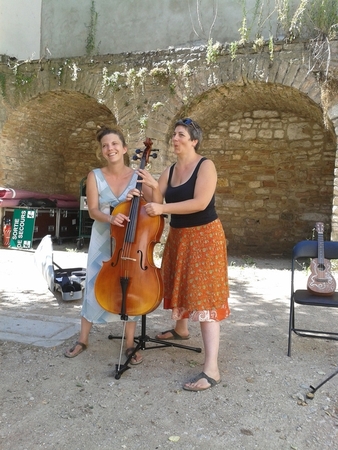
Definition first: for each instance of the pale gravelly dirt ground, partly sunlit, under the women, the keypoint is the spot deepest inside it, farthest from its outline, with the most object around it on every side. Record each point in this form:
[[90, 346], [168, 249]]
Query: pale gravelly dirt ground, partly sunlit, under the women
[[51, 402]]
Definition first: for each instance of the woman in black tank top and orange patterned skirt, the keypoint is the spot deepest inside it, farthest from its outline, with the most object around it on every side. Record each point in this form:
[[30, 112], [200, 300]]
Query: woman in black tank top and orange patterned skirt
[[194, 262]]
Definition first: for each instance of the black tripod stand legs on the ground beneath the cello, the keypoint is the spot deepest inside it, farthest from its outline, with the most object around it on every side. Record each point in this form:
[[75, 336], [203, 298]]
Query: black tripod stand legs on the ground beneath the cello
[[141, 345]]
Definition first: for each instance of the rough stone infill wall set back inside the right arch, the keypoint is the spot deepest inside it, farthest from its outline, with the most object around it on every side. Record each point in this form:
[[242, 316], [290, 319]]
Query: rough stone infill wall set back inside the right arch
[[275, 178]]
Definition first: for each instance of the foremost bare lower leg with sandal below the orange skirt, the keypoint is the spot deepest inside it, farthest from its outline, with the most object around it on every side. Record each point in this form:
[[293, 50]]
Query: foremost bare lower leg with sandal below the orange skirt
[[210, 334]]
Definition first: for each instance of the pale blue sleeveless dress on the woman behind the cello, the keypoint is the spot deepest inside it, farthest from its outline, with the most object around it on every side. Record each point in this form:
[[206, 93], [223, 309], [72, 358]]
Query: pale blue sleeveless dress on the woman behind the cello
[[100, 250]]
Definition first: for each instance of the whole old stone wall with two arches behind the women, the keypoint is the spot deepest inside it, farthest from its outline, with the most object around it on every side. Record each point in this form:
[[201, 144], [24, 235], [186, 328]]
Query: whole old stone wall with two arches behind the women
[[263, 124]]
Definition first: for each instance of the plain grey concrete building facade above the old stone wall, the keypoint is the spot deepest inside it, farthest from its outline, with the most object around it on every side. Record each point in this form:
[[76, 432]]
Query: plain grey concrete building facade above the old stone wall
[[69, 28]]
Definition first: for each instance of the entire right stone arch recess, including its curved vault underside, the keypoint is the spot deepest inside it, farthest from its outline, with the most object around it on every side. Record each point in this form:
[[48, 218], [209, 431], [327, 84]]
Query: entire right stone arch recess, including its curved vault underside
[[275, 160]]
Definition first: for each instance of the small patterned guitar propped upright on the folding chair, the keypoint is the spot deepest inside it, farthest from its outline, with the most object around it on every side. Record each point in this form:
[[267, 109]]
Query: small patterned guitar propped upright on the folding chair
[[321, 282]]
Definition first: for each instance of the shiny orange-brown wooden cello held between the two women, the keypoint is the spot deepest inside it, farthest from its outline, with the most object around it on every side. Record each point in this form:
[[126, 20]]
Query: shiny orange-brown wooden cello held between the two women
[[130, 283]]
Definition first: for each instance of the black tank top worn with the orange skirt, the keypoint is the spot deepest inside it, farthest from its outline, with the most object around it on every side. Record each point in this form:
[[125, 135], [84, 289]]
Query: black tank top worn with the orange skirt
[[186, 192]]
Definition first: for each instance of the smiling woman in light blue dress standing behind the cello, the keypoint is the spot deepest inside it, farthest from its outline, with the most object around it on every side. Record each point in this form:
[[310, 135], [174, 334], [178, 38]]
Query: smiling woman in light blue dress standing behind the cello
[[105, 188]]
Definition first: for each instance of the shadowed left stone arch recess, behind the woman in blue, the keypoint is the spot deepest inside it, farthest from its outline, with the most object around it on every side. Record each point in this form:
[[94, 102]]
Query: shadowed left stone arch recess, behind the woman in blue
[[48, 143]]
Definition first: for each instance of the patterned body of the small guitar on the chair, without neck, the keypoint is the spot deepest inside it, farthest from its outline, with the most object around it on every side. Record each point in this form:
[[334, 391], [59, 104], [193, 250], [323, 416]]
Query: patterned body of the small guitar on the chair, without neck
[[321, 281]]
